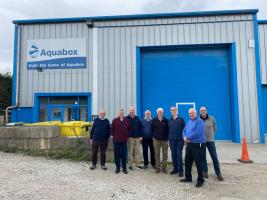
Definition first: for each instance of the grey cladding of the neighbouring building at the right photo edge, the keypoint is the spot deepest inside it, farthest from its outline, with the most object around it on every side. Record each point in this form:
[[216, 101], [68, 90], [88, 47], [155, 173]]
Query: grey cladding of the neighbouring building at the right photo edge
[[263, 51]]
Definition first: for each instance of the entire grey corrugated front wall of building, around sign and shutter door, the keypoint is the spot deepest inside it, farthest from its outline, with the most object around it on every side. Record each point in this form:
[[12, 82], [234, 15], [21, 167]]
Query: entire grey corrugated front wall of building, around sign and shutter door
[[116, 53]]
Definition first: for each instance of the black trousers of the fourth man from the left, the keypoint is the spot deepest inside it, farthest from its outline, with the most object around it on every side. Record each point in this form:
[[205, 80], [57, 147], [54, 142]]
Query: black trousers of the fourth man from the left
[[148, 143]]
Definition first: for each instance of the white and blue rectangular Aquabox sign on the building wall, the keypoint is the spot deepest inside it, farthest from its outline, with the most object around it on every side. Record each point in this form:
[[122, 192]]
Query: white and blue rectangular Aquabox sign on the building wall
[[56, 53]]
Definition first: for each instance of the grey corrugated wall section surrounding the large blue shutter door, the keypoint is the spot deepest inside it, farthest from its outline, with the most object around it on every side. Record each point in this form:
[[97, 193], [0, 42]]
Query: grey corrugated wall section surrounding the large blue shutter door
[[117, 41]]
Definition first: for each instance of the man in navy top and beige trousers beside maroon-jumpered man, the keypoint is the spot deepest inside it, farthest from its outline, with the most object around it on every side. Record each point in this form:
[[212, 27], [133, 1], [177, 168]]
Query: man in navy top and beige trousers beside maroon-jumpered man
[[135, 139]]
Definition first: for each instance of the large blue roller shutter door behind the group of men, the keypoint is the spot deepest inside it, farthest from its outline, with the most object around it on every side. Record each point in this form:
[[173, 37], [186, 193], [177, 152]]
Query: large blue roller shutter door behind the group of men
[[199, 75]]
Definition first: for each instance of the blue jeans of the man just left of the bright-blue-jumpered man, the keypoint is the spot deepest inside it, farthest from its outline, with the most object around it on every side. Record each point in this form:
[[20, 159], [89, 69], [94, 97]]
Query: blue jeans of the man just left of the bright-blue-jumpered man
[[176, 147]]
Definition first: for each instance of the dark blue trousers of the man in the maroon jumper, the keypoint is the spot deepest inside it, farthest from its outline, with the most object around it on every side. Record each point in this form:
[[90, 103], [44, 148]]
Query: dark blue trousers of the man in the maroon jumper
[[120, 154]]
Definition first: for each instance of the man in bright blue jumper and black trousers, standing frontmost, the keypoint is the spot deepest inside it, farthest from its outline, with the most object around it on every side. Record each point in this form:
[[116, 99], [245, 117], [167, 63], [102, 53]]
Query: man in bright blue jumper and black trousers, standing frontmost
[[194, 137]]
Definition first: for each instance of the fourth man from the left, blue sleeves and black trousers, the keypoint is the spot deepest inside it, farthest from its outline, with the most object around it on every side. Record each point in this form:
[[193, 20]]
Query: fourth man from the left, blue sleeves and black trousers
[[147, 141]]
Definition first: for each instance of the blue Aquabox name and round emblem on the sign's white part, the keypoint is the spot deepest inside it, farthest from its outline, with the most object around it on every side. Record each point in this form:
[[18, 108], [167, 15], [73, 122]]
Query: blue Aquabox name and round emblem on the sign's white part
[[35, 52]]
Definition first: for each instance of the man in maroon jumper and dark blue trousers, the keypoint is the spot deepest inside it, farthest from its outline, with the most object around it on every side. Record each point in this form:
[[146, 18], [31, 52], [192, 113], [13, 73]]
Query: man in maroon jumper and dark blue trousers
[[120, 130]]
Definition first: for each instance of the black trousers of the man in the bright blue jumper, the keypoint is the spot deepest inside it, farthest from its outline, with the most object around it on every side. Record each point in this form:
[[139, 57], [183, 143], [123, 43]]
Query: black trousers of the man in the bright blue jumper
[[194, 152]]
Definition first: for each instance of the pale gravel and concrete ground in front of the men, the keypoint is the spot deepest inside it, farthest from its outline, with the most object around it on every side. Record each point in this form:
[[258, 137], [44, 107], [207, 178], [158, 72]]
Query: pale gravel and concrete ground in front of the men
[[24, 177]]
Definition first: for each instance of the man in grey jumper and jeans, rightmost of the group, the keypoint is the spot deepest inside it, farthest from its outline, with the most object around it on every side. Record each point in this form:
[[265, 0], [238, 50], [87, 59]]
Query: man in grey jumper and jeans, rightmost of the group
[[210, 129]]
